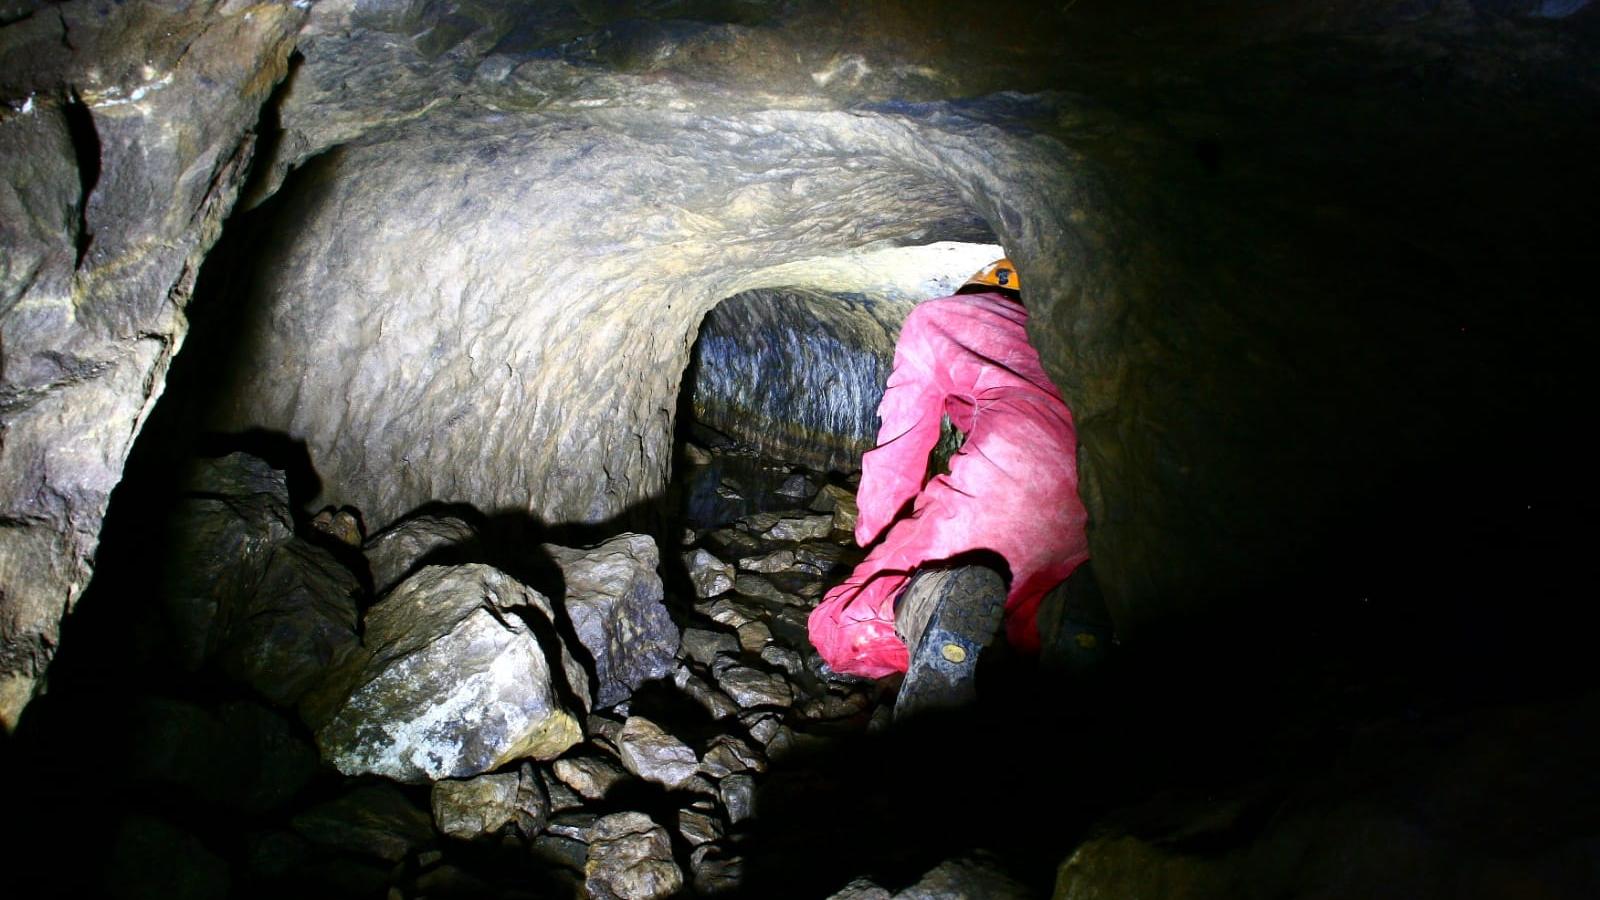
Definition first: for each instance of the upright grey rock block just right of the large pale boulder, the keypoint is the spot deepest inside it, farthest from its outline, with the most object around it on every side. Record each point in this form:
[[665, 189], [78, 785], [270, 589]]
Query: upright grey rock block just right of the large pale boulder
[[614, 601]]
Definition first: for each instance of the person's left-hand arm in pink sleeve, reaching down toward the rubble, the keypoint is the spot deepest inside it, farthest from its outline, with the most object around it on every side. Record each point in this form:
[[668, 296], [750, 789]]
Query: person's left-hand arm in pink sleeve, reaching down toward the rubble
[[911, 411]]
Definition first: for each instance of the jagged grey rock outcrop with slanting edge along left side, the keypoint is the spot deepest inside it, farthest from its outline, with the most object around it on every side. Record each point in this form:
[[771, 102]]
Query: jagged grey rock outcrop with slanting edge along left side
[[127, 132]]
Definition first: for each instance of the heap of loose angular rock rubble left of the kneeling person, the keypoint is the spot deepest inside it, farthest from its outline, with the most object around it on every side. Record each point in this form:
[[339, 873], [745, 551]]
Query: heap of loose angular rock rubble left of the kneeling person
[[606, 741]]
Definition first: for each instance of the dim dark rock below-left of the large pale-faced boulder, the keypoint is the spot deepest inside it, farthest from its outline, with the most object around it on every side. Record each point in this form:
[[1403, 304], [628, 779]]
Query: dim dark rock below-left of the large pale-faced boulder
[[374, 821]]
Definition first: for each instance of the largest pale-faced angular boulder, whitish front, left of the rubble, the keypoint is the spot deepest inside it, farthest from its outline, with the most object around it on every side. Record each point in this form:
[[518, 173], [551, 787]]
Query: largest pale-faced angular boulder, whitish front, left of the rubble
[[454, 681]]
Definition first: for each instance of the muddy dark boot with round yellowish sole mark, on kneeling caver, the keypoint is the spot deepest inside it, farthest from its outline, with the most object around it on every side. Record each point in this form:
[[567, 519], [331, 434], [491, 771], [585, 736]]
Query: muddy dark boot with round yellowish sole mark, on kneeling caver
[[946, 619]]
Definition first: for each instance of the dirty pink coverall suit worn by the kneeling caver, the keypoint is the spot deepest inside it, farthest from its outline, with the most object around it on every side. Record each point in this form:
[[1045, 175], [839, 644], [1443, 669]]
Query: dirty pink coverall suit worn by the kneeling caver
[[1014, 486]]
